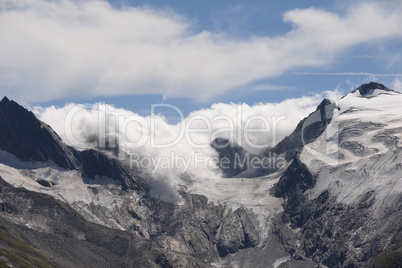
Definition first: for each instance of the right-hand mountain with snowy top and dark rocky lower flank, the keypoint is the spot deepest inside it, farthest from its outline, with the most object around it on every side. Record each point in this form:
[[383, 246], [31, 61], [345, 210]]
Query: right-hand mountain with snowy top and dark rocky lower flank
[[343, 191]]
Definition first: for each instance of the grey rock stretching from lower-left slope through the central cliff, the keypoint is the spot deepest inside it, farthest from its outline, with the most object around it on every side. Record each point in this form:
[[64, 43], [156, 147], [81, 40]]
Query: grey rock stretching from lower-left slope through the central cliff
[[190, 235]]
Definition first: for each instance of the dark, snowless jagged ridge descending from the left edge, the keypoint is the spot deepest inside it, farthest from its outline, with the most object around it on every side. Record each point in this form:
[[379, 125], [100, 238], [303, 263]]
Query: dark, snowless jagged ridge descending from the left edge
[[30, 140]]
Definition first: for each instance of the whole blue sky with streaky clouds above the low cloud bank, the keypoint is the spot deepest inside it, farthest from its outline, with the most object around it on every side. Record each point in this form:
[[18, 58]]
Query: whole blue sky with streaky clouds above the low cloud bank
[[194, 53]]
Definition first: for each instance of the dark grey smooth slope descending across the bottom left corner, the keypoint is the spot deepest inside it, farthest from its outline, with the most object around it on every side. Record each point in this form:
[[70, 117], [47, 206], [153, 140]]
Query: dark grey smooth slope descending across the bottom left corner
[[62, 237]]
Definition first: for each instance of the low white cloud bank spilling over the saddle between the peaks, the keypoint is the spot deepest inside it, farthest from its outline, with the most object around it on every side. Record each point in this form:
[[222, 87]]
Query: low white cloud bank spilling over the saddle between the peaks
[[179, 154]]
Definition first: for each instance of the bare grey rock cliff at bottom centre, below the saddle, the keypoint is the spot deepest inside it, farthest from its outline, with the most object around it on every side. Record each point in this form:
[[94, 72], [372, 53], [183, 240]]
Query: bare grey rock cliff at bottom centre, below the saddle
[[197, 227]]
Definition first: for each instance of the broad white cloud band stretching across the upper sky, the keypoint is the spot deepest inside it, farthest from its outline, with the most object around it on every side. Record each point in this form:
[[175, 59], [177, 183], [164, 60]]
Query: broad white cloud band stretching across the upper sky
[[56, 49]]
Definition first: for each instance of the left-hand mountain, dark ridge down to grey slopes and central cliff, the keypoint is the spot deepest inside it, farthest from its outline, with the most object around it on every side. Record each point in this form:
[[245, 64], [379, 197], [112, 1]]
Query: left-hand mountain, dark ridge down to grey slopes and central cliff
[[66, 204]]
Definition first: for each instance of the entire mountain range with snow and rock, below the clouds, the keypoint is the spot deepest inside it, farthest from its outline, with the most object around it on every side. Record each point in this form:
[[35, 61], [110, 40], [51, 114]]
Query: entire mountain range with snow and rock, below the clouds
[[335, 202]]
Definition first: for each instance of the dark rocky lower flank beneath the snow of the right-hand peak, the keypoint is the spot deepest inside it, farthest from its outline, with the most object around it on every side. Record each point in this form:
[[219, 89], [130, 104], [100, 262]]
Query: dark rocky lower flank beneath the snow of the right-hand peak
[[336, 234]]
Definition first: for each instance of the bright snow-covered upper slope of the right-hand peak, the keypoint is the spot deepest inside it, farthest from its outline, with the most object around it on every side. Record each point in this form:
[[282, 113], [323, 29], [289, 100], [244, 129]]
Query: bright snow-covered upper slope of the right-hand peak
[[360, 150]]
